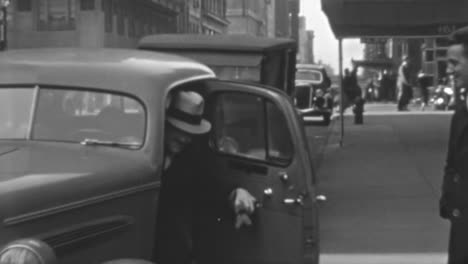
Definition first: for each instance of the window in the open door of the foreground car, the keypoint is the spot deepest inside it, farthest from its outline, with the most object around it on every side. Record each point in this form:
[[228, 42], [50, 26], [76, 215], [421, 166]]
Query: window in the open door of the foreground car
[[250, 126]]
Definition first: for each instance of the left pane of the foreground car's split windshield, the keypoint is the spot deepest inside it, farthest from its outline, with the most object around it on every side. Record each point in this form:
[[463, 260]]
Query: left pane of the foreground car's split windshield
[[15, 112]]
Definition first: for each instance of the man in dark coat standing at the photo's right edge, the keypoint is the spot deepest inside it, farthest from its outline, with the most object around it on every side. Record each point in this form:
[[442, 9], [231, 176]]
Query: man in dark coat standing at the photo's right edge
[[454, 199]]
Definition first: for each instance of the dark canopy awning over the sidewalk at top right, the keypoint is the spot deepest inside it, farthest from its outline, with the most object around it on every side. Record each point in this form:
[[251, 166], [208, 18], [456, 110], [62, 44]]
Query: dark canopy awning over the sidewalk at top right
[[393, 18]]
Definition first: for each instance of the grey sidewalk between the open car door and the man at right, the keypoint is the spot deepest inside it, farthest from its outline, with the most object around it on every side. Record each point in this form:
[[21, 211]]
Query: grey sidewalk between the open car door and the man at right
[[382, 187]]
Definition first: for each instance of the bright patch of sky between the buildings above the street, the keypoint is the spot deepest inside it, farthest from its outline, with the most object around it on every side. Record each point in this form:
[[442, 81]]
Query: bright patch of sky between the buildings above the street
[[325, 43]]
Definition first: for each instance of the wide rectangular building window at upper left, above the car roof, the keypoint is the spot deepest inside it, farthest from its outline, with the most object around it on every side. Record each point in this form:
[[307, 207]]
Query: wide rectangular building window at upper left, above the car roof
[[56, 15]]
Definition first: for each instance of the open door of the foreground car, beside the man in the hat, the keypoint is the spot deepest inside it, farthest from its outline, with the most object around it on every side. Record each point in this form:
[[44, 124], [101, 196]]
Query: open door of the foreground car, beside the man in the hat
[[276, 234]]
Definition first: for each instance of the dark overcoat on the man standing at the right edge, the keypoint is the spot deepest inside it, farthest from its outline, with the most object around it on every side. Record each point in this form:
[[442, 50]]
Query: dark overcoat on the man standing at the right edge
[[454, 199]]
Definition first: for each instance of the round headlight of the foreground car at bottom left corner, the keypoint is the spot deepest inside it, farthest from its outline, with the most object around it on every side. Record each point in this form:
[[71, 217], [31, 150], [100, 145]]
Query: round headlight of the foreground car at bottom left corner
[[27, 251]]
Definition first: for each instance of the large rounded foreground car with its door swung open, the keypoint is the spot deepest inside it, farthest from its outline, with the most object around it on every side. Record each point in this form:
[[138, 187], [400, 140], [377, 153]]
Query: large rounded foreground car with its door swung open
[[81, 158]]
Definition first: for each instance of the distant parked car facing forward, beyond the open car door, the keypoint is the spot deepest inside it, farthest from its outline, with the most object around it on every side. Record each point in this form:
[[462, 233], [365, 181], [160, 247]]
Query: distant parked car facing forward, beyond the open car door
[[312, 95]]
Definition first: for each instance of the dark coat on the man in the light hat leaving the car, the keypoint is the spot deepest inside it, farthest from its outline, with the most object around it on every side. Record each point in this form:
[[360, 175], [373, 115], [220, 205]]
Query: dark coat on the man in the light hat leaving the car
[[188, 191]]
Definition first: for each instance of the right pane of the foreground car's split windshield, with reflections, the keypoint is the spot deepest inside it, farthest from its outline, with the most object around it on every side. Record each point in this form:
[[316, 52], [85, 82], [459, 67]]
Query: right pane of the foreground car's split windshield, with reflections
[[76, 115]]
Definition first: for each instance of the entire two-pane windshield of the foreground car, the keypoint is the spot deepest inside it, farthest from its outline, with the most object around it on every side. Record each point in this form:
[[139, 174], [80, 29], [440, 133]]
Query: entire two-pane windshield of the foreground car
[[71, 116]]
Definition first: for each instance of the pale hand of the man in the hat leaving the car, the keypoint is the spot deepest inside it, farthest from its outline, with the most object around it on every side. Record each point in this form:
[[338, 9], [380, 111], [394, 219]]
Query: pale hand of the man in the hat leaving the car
[[244, 205]]
